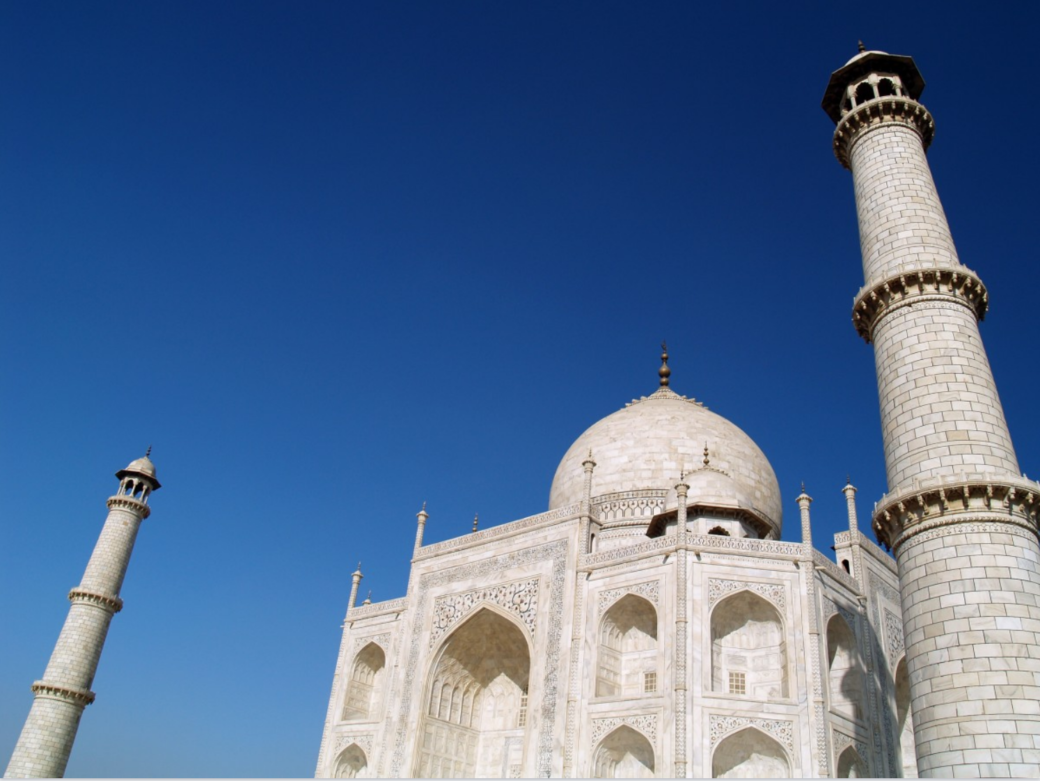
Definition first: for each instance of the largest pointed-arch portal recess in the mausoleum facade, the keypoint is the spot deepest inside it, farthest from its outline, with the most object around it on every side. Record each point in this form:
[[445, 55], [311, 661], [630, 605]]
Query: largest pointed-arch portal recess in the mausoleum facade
[[476, 719]]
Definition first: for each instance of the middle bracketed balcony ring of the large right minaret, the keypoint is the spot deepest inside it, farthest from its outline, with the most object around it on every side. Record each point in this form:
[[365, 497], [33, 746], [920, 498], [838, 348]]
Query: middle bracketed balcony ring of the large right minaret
[[911, 288]]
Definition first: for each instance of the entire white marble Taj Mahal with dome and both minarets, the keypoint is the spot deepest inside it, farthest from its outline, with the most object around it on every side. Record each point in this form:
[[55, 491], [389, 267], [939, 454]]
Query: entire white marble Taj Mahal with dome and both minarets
[[652, 622]]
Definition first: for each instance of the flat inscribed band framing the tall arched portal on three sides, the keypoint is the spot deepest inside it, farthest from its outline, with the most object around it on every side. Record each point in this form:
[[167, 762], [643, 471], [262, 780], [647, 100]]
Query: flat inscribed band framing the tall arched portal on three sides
[[555, 553]]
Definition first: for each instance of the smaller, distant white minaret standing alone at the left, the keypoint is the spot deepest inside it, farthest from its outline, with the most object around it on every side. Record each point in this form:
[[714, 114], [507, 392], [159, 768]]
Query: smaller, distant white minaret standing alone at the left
[[46, 741]]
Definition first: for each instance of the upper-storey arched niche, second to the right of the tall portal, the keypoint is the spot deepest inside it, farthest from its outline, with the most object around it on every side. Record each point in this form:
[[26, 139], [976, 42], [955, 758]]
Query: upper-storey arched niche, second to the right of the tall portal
[[749, 654]]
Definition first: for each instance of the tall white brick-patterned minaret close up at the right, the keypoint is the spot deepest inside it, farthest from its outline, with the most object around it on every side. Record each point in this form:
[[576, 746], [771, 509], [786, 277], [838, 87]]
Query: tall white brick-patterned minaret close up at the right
[[958, 515]]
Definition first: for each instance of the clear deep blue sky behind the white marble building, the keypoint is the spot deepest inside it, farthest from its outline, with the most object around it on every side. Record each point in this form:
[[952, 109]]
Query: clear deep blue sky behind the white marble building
[[333, 261]]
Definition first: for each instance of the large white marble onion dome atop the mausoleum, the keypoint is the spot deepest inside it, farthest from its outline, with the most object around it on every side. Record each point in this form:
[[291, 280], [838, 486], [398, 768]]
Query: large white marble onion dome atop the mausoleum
[[647, 444]]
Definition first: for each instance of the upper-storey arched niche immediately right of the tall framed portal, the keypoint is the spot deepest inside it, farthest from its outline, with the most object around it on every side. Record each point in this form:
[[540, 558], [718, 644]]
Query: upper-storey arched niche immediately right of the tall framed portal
[[628, 661]]
